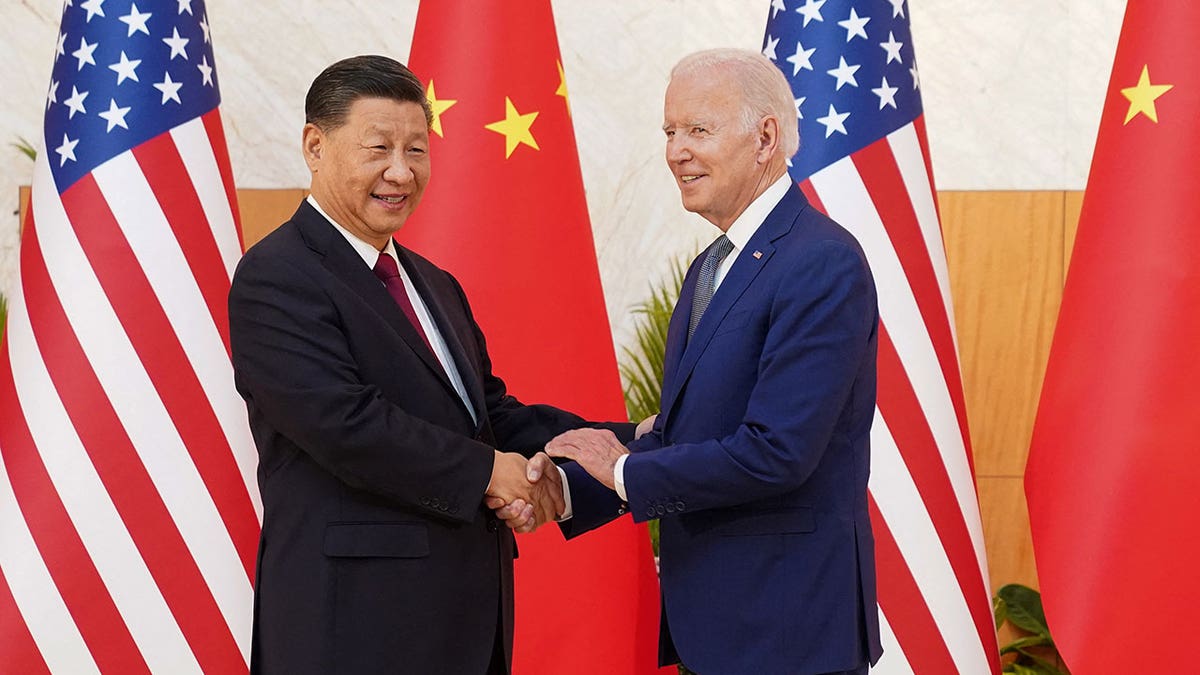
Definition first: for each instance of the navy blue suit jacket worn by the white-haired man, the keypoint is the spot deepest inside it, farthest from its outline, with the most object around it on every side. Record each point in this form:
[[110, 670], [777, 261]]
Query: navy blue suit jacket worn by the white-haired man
[[759, 462]]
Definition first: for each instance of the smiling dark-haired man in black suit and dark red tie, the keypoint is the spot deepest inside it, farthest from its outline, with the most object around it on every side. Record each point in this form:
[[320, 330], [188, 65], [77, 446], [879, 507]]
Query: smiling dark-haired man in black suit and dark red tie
[[377, 417]]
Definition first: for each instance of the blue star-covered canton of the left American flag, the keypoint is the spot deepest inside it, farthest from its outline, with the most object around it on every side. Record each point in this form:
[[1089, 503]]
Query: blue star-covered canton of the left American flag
[[124, 73]]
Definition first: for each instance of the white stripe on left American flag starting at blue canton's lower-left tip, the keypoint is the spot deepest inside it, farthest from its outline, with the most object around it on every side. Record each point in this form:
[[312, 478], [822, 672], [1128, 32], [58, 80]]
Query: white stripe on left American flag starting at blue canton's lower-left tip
[[145, 419]]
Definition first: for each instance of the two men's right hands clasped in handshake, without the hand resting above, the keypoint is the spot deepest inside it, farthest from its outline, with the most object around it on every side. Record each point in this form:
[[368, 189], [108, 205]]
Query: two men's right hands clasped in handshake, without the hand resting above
[[526, 494]]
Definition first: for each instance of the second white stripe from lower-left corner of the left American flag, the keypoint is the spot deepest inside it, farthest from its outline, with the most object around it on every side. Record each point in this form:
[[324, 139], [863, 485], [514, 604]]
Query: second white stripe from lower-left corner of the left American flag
[[93, 515]]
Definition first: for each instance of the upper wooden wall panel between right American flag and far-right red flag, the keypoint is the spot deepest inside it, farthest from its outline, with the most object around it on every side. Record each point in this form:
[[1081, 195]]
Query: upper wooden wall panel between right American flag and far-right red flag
[[1005, 256]]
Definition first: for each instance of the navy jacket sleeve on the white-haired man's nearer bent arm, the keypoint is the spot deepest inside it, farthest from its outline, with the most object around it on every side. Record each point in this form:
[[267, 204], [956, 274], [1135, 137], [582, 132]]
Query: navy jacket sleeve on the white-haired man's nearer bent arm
[[824, 319]]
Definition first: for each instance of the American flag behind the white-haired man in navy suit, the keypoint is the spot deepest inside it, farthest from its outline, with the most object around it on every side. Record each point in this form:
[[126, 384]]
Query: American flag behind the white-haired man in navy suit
[[865, 162]]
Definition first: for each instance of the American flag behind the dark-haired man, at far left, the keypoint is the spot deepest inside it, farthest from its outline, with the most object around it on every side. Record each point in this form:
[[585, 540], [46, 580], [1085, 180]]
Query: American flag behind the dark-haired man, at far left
[[129, 511]]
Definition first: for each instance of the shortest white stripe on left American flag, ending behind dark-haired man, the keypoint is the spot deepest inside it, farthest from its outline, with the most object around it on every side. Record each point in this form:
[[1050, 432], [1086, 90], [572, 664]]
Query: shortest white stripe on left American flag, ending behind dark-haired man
[[193, 141]]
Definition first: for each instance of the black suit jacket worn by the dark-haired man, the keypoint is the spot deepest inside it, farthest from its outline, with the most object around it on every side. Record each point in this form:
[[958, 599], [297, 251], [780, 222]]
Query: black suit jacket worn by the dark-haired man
[[377, 554]]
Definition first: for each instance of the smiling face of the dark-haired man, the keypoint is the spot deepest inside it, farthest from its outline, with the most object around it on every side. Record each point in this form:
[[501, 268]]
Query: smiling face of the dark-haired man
[[369, 175]]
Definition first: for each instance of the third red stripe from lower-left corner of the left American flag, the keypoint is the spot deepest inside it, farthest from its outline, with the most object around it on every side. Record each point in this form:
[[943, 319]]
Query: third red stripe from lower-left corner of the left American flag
[[119, 468]]
